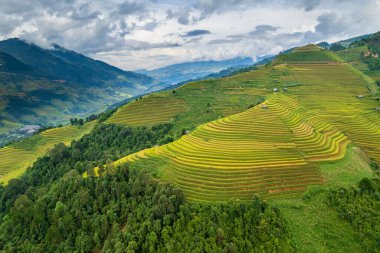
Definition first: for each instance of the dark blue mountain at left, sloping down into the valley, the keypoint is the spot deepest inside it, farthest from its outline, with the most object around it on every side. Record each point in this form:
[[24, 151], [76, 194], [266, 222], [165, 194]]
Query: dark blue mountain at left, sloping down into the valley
[[40, 86]]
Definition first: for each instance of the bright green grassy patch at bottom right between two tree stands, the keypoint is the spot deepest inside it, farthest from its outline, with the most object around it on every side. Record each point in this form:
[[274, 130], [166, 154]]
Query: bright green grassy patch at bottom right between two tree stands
[[315, 227]]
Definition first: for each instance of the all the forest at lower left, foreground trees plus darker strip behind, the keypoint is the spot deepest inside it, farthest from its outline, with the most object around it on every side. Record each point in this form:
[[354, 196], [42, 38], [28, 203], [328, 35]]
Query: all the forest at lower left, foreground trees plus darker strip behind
[[52, 208]]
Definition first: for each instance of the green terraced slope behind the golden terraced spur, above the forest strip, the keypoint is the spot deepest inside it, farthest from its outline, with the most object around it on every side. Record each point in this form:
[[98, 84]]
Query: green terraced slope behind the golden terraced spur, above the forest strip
[[197, 103]]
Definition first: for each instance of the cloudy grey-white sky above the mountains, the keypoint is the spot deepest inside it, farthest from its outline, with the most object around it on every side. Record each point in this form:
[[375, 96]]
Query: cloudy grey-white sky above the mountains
[[136, 34]]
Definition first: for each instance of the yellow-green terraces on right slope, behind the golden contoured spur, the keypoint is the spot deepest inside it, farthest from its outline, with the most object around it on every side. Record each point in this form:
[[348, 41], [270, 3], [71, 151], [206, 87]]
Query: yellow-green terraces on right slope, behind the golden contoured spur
[[331, 91]]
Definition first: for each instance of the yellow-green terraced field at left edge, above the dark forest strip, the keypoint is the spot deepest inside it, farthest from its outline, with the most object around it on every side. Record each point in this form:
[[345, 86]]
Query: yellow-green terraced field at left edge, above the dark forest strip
[[15, 159]]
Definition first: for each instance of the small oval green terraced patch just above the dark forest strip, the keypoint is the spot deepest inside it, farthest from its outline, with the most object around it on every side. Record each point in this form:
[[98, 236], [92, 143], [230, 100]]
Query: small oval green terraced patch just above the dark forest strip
[[148, 111]]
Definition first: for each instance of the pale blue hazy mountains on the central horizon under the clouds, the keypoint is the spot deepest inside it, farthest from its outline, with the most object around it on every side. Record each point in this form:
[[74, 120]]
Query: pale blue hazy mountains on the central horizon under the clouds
[[178, 73]]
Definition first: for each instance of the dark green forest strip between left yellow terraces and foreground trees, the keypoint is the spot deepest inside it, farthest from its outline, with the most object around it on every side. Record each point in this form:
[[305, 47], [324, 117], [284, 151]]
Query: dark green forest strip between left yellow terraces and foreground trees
[[106, 143]]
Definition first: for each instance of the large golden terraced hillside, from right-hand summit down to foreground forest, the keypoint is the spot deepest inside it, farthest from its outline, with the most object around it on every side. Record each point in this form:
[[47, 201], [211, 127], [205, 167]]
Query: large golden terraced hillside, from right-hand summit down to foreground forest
[[275, 151]]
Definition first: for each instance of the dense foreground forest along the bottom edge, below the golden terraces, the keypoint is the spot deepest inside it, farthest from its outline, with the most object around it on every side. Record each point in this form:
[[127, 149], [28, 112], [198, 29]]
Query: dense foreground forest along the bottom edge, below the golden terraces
[[128, 211]]
